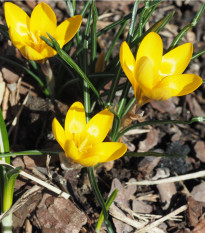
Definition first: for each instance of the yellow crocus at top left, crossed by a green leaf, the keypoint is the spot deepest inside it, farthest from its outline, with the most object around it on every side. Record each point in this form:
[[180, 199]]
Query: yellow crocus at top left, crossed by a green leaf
[[25, 31]]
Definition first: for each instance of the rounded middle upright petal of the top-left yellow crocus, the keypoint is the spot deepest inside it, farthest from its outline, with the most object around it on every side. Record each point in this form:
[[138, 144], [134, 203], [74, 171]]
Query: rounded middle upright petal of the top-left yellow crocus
[[43, 20]]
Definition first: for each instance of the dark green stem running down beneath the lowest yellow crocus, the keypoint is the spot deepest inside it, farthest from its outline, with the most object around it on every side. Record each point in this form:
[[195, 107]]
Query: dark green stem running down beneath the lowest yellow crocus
[[100, 200]]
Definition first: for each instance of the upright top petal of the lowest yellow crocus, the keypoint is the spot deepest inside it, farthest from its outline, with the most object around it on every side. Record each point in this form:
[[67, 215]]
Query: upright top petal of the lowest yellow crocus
[[75, 121]]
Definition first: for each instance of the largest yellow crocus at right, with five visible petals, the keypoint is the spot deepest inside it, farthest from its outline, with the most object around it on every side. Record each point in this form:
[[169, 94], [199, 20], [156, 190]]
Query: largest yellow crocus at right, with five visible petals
[[157, 77]]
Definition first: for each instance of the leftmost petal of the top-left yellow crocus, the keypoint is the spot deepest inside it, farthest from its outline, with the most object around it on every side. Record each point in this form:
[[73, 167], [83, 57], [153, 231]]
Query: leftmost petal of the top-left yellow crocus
[[18, 20]]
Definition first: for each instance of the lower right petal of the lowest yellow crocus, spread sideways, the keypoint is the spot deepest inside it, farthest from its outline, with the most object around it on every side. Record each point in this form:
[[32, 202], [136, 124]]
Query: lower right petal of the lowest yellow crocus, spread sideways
[[106, 151]]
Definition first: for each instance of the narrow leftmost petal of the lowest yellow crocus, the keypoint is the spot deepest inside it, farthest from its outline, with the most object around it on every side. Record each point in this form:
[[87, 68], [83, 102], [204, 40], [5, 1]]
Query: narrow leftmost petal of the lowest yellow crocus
[[58, 132]]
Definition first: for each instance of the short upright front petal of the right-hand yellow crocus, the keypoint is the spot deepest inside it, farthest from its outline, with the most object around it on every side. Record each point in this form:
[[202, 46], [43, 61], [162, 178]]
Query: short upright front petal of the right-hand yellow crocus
[[144, 73]]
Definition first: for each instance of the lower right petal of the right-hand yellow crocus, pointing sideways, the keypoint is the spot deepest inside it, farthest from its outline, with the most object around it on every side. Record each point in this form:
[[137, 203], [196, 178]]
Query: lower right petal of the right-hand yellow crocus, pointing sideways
[[176, 85]]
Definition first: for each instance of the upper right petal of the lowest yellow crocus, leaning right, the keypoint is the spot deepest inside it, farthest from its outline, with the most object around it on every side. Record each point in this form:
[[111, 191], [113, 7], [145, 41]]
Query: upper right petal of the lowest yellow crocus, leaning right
[[97, 129]]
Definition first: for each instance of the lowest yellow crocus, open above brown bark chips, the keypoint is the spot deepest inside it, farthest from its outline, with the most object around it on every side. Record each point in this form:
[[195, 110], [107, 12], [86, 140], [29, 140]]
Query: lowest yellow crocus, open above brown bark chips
[[83, 143]]
